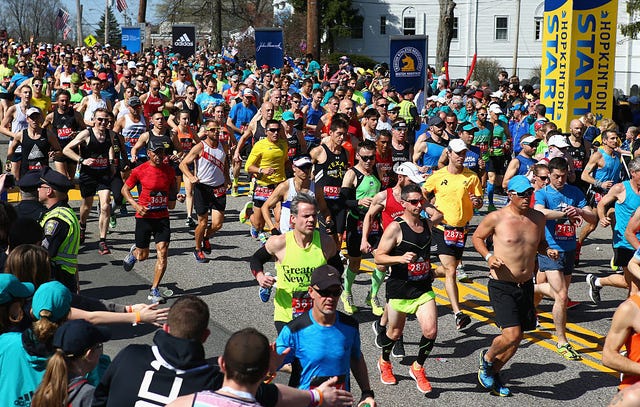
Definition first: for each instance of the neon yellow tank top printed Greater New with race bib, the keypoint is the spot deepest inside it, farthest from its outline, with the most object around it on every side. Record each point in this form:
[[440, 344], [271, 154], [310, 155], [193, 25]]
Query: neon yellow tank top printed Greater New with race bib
[[294, 276]]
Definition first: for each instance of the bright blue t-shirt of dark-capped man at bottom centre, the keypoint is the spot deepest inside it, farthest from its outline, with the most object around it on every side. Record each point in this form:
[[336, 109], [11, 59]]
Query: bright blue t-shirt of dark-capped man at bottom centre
[[323, 351]]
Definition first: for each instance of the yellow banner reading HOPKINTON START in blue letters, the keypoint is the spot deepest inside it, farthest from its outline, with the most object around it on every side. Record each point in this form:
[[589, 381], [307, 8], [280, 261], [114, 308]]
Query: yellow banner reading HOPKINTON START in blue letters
[[578, 59]]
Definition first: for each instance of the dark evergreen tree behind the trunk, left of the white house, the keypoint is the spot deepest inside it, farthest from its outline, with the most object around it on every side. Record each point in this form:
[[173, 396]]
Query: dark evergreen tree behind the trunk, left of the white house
[[337, 19]]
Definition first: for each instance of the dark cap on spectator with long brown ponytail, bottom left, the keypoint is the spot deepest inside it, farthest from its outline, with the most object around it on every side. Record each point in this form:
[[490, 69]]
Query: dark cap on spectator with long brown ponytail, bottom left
[[77, 336]]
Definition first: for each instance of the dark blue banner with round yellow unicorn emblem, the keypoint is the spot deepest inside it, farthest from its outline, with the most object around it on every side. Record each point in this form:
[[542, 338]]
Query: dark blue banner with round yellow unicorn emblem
[[408, 61]]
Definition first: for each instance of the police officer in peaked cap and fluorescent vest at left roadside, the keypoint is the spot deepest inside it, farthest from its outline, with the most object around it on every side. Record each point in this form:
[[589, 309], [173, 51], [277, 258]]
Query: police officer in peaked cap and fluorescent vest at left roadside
[[61, 228]]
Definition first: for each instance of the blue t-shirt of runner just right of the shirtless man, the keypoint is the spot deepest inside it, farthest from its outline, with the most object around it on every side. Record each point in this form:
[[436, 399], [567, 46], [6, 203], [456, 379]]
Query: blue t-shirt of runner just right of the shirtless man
[[560, 233]]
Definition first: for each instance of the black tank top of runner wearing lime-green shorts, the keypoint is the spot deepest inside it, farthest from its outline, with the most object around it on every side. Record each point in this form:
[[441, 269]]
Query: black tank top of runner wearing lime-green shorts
[[408, 281]]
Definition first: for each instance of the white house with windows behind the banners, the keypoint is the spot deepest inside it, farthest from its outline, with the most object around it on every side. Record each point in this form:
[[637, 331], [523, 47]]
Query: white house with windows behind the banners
[[492, 23]]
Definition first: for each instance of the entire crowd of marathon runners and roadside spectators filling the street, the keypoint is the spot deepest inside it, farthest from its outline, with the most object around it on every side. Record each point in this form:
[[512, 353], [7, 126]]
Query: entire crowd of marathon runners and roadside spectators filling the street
[[335, 165]]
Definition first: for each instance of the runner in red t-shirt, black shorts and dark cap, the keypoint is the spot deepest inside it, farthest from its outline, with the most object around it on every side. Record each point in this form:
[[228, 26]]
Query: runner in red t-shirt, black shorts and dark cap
[[157, 181]]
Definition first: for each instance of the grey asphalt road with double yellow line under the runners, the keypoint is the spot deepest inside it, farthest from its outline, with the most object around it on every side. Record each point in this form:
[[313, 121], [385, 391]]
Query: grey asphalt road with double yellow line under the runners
[[537, 375]]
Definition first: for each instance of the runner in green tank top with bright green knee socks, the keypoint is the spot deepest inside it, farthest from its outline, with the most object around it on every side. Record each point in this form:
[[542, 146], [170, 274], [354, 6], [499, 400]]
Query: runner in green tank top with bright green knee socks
[[360, 184]]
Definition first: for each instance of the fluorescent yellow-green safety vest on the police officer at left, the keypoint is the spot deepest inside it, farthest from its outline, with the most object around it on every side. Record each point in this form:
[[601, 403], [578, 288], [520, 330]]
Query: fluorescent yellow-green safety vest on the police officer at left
[[67, 256]]
